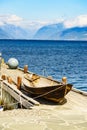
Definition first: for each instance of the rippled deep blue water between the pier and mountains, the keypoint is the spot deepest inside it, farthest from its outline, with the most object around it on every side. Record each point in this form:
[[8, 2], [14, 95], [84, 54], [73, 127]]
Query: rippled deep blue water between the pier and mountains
[[55, 58]]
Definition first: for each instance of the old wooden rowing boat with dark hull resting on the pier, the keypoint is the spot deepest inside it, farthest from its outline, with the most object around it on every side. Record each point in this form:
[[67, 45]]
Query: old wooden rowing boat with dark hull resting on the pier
[[47, 88]]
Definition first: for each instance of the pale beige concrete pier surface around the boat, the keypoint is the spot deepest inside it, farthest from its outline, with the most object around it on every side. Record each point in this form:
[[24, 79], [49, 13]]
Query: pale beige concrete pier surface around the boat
[[47, 116]]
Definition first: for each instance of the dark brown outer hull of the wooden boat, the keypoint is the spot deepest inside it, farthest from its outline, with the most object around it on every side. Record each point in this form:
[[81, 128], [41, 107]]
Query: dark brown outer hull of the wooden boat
[[53, 93]]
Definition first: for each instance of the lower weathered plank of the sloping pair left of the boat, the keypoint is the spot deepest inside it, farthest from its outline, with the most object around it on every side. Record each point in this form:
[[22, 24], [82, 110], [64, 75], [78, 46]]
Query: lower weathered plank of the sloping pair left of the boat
[[18, 97]]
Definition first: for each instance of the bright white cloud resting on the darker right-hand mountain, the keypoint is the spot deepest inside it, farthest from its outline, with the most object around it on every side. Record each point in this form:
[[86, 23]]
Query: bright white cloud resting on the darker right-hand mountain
[[78, 21]]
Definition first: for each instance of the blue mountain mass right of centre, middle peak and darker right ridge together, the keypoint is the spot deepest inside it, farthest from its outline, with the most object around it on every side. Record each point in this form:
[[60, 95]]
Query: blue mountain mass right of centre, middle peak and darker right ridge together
[[59, 32]]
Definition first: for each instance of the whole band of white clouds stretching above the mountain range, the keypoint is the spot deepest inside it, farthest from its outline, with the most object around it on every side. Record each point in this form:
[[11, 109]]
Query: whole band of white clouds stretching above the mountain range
[[34, 25]]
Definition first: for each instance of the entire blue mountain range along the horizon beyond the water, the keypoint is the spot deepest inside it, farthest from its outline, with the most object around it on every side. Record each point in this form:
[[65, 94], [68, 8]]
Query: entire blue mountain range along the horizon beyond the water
[[47, 32]]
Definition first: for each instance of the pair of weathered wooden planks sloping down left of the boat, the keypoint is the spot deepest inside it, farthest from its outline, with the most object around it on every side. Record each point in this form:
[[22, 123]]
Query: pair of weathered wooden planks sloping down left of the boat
[[18, 95]]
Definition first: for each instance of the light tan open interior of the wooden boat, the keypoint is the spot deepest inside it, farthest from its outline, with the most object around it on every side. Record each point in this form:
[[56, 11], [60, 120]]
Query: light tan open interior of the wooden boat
[[34, 80]]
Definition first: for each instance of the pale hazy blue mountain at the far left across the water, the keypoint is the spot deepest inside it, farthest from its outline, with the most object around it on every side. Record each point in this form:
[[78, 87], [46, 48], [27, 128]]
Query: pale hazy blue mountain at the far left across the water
[[9, 31]]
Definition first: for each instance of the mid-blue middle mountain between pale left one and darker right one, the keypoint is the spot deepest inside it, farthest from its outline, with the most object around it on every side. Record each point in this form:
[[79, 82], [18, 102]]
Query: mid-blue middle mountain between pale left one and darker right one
[[49, 31]]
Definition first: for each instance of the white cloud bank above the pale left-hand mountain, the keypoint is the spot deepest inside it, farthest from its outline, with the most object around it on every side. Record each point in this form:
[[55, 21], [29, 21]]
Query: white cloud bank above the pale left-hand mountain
[[18, 21]]
